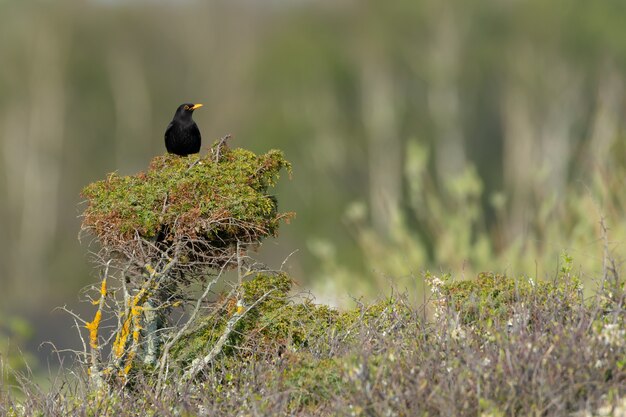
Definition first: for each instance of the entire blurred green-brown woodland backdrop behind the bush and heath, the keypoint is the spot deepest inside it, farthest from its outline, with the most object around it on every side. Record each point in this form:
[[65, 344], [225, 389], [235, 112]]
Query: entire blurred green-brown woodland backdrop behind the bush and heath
[[448, 135]]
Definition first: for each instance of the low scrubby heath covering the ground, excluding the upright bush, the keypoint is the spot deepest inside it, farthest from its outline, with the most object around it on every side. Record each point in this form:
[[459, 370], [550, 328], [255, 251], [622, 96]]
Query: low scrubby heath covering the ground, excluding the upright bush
[[290, 356]]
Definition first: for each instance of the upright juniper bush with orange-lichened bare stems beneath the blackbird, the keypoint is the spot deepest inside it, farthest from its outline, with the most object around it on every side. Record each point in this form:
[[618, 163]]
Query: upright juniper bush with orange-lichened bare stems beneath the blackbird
[[187, 220]]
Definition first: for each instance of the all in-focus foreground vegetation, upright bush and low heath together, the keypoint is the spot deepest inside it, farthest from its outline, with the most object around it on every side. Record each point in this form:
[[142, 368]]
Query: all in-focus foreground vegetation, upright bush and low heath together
[[492, 346]]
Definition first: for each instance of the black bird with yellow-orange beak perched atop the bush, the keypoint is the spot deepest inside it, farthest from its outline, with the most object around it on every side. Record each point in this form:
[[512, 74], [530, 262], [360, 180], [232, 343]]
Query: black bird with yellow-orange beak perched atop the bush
[[182, 136]]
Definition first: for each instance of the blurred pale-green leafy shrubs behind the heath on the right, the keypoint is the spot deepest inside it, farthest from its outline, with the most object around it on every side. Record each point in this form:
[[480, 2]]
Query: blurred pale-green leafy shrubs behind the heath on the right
[[448, 227]]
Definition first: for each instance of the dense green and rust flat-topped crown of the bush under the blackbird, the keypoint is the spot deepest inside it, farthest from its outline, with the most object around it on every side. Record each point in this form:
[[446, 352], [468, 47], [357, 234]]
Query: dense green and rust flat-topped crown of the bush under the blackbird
[[212, 203]]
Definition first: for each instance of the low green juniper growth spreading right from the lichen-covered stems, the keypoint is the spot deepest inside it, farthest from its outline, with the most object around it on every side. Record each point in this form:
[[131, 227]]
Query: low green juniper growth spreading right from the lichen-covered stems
[[278, 324]]
